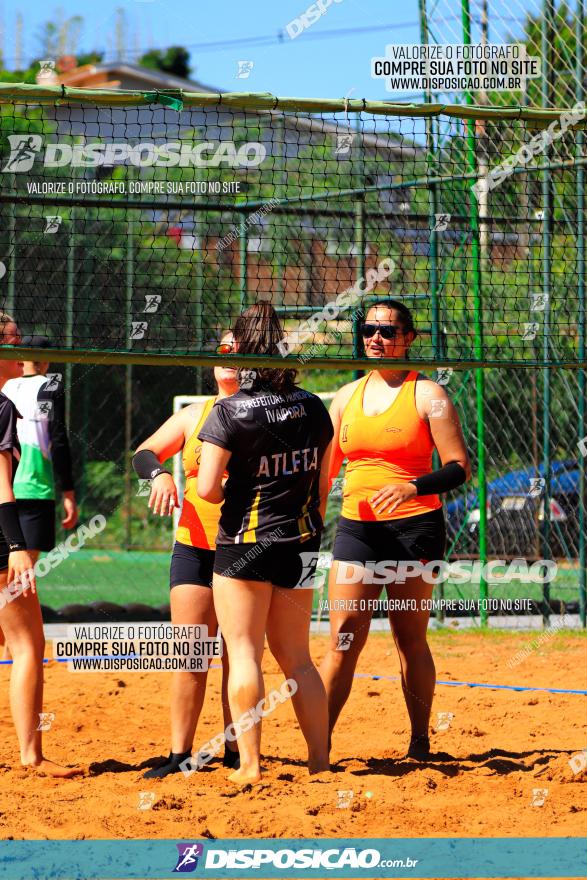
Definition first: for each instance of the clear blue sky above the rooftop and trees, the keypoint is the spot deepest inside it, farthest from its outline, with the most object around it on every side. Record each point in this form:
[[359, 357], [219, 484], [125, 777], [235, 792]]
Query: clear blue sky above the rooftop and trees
[[329, 59]]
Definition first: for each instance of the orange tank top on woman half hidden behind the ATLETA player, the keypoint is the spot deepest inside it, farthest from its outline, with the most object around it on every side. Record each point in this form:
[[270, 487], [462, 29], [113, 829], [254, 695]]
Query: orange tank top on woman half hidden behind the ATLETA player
[[198, 522]]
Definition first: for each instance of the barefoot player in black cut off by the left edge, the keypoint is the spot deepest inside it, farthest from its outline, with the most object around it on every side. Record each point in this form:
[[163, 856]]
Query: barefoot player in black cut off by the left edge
[[20, 612]]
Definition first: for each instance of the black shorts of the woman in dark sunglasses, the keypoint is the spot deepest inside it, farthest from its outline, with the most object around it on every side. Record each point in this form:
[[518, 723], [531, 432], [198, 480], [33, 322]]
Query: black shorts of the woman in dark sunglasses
[[419, 538]]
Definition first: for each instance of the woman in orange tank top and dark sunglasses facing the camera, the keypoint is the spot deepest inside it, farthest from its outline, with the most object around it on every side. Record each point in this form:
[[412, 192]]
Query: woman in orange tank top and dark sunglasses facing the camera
[[388, 424]]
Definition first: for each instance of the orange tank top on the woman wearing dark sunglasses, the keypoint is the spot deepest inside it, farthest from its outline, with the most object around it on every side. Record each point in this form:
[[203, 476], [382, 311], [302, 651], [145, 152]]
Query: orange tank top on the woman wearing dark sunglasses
[[393, 447]]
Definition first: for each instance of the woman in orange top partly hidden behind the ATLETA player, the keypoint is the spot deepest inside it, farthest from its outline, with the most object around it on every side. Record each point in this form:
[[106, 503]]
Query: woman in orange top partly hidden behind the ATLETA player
[[192, 559]]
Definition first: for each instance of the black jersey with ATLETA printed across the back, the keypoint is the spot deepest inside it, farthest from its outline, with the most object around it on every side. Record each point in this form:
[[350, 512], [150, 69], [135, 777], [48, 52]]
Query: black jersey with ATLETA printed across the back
[[277, 443]]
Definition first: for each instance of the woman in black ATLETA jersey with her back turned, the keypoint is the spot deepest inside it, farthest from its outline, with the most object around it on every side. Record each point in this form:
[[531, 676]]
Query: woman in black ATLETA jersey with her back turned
[[273, 439]]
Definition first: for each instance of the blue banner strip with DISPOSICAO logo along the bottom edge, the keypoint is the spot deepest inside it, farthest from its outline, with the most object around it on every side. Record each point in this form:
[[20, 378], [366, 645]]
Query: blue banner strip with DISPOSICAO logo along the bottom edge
[[252, 858]]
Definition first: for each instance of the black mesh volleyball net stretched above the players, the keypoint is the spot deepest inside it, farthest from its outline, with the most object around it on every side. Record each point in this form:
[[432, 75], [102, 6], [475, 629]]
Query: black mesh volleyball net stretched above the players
[[137, 226]]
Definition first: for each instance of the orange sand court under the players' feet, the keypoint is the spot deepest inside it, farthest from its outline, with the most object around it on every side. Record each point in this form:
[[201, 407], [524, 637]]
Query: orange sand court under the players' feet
[[500, 747]]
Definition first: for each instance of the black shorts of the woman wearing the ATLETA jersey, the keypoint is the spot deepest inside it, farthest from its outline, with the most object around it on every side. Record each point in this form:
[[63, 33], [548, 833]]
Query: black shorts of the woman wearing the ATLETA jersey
[[283, 563]]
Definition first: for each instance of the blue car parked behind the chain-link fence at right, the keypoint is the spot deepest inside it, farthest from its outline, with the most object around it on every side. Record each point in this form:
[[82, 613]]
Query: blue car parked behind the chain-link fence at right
[[515, 515]]
